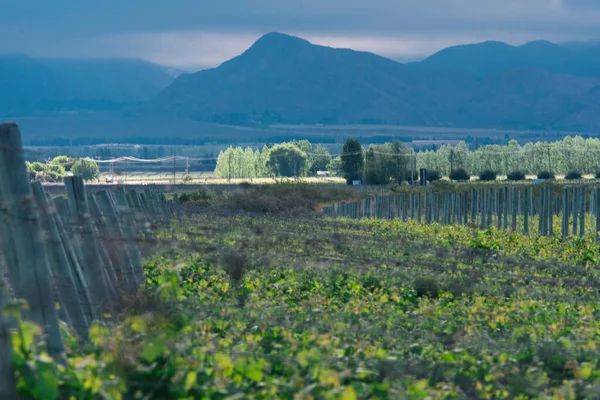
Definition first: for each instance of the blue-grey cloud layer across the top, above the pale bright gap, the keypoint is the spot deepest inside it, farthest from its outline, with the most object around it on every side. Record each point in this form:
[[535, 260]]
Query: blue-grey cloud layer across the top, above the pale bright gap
[[42, 26]]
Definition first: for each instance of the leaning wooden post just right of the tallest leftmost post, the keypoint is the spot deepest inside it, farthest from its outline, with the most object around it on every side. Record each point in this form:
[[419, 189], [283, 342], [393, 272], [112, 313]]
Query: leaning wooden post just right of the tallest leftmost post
[[62, 271]]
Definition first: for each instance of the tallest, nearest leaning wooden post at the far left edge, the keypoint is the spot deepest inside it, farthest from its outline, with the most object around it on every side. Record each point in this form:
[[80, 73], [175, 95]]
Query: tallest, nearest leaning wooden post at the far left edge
[[33, 278]]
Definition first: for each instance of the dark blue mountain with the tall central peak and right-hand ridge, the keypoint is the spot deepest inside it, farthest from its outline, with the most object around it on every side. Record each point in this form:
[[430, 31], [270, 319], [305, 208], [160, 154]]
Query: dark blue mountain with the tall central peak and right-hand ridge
[[287, 79]]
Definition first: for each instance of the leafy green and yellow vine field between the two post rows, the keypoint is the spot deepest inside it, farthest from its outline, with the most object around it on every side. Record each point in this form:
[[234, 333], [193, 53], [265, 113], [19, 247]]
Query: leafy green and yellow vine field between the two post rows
[[290, 304]]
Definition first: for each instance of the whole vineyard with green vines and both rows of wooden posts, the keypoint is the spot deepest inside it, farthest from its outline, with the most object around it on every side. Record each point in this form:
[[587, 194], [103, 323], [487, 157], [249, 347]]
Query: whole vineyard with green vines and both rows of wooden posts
[[298, 291]]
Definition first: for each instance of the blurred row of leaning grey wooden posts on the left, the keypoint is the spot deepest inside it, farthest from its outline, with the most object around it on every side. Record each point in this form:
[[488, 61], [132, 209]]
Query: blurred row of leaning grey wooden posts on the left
[[82, 252]]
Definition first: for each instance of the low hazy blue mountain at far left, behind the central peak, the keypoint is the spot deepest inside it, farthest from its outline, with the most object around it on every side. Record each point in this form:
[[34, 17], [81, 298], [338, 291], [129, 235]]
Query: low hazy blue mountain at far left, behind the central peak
[[40, 86]]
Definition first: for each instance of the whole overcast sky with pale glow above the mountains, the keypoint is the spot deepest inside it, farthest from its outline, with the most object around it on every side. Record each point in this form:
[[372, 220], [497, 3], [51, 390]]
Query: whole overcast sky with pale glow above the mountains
[[193, 34]]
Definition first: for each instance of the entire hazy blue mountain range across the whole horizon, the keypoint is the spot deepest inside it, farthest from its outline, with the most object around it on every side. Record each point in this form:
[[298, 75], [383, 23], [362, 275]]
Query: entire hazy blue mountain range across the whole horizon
[[284, 79]]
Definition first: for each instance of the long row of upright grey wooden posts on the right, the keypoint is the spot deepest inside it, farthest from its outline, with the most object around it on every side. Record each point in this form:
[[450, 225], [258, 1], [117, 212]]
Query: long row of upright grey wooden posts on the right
[[526, 209]]
